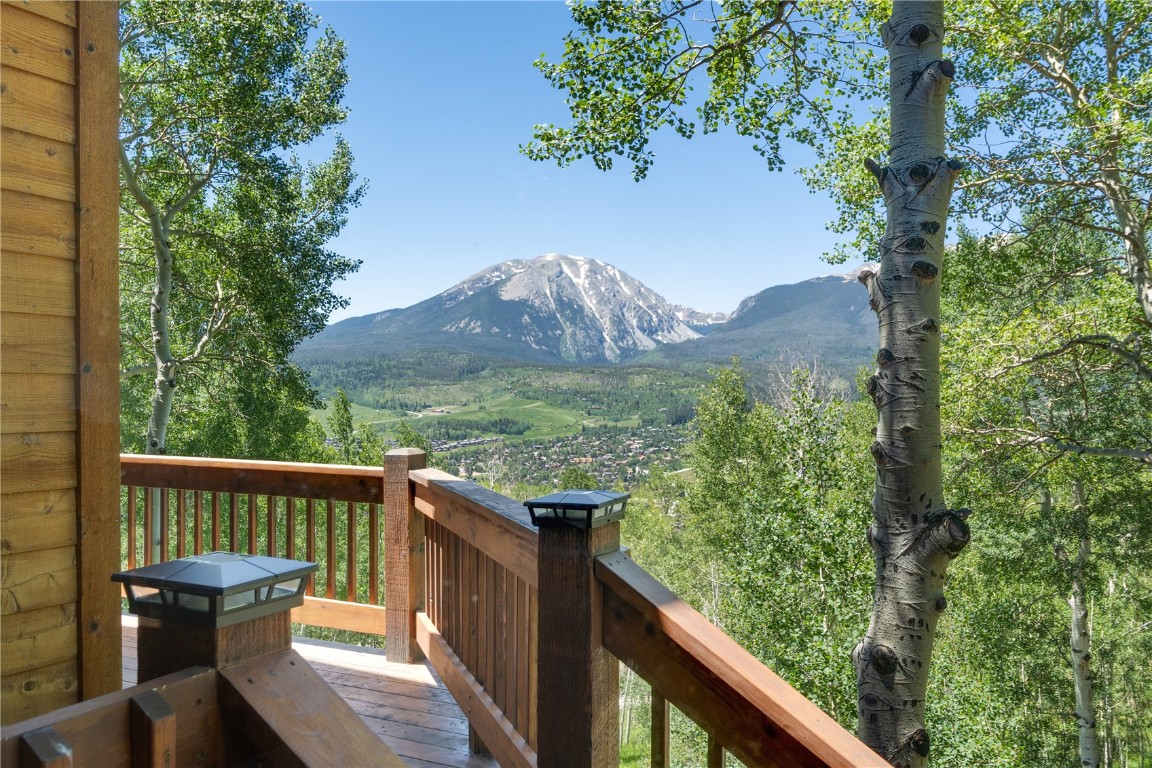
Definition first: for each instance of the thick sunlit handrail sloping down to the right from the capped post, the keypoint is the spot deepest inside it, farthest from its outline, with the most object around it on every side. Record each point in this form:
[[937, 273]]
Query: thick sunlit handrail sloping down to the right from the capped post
[[751, 711]]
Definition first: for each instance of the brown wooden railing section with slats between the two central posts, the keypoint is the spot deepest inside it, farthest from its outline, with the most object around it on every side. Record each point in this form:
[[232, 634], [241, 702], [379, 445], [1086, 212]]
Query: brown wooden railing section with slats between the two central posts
[[478, 617]]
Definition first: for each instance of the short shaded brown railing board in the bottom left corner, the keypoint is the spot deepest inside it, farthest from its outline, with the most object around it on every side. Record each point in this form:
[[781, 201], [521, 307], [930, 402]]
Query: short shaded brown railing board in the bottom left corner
[[100, 731]]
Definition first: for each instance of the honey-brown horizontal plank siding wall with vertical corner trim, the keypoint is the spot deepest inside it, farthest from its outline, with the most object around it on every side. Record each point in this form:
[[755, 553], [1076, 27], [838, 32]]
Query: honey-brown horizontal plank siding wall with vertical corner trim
[[59, 356]]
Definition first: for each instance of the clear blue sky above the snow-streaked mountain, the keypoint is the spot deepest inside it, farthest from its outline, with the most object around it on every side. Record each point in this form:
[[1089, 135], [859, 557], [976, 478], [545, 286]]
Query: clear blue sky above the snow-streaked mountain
[[442, 96]]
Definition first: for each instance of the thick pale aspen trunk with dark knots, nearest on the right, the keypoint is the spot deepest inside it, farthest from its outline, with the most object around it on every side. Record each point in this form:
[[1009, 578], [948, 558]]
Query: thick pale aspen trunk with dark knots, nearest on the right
[[914, 535]]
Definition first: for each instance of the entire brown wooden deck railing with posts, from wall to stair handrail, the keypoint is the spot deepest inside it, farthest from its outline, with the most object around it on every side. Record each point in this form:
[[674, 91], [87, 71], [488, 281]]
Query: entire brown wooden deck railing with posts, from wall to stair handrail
[[465, 574]]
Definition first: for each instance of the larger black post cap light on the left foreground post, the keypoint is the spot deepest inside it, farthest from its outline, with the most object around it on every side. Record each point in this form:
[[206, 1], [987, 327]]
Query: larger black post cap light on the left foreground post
[[217, 589]]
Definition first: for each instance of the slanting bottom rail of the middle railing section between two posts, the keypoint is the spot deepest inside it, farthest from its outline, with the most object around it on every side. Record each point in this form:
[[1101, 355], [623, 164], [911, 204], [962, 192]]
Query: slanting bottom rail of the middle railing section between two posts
[[498, 734]]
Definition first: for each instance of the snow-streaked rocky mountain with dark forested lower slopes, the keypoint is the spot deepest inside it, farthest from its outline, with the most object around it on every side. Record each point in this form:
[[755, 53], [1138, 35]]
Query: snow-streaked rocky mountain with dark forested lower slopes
[[573, 310]]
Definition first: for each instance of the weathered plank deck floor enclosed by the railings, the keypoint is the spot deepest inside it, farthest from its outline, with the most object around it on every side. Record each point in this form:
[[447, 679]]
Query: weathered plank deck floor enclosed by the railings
[[406, 705]]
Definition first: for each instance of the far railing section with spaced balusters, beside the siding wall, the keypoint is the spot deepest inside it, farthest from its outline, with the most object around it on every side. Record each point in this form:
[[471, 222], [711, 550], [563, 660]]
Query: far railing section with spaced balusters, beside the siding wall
[[319, 513]]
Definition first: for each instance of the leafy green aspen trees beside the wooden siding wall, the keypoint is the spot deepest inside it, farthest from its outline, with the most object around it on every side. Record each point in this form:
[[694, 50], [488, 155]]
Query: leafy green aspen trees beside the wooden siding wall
[[223, 231]]
